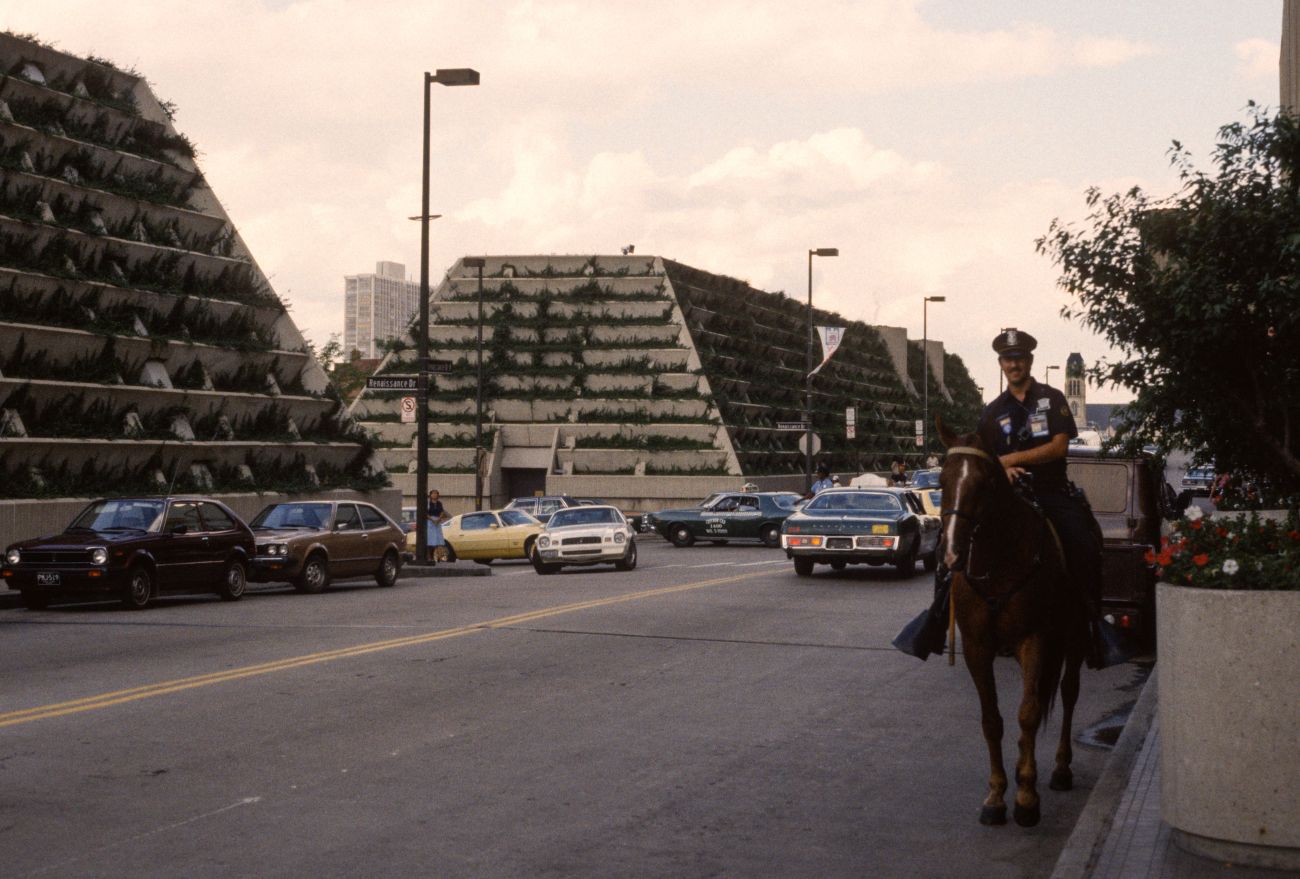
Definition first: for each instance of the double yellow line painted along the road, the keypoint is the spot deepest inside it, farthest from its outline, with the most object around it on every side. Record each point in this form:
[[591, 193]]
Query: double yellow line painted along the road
[[163, 689]]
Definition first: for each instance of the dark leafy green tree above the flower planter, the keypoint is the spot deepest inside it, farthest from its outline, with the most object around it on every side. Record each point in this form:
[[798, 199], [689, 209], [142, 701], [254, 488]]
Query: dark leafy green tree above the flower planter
[[1201, 292]]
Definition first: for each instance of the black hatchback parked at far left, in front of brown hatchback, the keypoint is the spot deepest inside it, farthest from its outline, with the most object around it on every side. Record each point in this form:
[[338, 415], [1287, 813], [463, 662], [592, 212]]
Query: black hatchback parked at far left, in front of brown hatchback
[[136, 549]]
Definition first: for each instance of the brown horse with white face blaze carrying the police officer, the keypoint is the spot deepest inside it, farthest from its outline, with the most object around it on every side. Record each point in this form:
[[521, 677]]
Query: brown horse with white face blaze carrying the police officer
[[1012, 595]]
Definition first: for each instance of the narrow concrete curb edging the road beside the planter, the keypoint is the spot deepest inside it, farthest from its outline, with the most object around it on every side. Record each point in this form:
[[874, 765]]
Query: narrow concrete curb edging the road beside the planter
[[1082, 850]]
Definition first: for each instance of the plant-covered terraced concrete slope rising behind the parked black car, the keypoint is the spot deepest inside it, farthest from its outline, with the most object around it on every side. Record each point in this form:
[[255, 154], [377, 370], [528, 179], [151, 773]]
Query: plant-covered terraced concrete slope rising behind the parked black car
[[141, 347]]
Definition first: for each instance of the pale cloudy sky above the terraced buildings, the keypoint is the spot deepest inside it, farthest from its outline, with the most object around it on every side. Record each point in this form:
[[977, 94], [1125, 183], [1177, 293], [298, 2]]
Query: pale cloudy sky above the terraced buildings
[[931, 141]]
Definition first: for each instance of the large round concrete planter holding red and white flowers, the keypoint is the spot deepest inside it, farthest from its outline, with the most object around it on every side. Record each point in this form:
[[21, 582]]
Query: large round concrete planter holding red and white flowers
[[1229, 713]]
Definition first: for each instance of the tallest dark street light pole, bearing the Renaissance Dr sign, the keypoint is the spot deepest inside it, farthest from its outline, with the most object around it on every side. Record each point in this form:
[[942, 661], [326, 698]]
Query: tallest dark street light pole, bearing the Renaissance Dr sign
[[447, 77]]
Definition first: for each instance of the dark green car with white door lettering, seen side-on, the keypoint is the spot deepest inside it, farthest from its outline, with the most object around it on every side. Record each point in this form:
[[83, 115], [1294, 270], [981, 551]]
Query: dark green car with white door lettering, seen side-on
[[726, 517]]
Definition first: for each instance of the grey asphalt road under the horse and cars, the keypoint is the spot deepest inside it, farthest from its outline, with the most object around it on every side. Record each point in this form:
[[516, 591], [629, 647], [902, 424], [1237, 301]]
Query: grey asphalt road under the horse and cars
[[709, 715]]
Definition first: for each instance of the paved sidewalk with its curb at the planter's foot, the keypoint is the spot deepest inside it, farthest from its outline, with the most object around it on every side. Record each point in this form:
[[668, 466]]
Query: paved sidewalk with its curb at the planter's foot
[[1120, 834]]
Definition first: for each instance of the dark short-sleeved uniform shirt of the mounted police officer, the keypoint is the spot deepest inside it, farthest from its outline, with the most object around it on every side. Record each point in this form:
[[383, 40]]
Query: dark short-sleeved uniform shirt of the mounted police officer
[[1009, 425]]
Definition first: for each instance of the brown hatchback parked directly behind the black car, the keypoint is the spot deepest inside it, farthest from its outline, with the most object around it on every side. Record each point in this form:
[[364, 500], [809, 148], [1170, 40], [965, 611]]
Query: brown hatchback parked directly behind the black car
[[311, 543]]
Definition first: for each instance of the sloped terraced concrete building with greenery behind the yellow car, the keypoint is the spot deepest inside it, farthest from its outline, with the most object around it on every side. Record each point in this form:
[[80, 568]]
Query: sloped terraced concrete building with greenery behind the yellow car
[[645, 382]]
